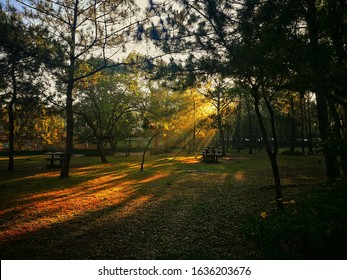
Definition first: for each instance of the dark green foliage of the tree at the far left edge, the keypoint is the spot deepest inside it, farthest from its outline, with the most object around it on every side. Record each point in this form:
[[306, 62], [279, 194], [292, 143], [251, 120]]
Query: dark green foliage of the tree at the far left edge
[[22, 52]]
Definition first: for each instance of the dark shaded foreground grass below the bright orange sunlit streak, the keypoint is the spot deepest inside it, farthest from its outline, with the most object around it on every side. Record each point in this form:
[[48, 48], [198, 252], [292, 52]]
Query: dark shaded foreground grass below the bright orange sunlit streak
[[161, 218]]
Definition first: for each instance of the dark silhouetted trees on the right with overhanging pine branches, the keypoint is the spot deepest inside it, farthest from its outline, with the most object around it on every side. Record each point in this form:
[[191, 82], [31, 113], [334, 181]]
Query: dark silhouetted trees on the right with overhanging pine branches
[[269, 48]]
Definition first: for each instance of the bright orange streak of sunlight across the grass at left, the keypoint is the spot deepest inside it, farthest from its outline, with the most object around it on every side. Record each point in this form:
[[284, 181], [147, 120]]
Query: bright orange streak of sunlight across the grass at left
[[43, 210]]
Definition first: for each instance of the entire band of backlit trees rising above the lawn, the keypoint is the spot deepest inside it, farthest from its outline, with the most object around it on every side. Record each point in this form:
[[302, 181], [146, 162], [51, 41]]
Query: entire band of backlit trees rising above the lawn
[[273, 71]]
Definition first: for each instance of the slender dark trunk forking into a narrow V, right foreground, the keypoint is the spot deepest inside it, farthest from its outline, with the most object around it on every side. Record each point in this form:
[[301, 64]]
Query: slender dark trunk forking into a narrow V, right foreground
[[272, 153]]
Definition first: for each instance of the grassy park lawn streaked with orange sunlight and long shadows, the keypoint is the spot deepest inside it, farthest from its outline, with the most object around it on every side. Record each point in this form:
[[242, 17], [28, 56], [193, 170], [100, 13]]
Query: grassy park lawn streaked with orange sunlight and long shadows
[[178, 208]]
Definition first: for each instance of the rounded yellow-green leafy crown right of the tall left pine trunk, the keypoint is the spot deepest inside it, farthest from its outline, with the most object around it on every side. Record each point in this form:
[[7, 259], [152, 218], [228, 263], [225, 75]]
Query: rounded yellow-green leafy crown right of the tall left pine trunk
[[107, 105]]
